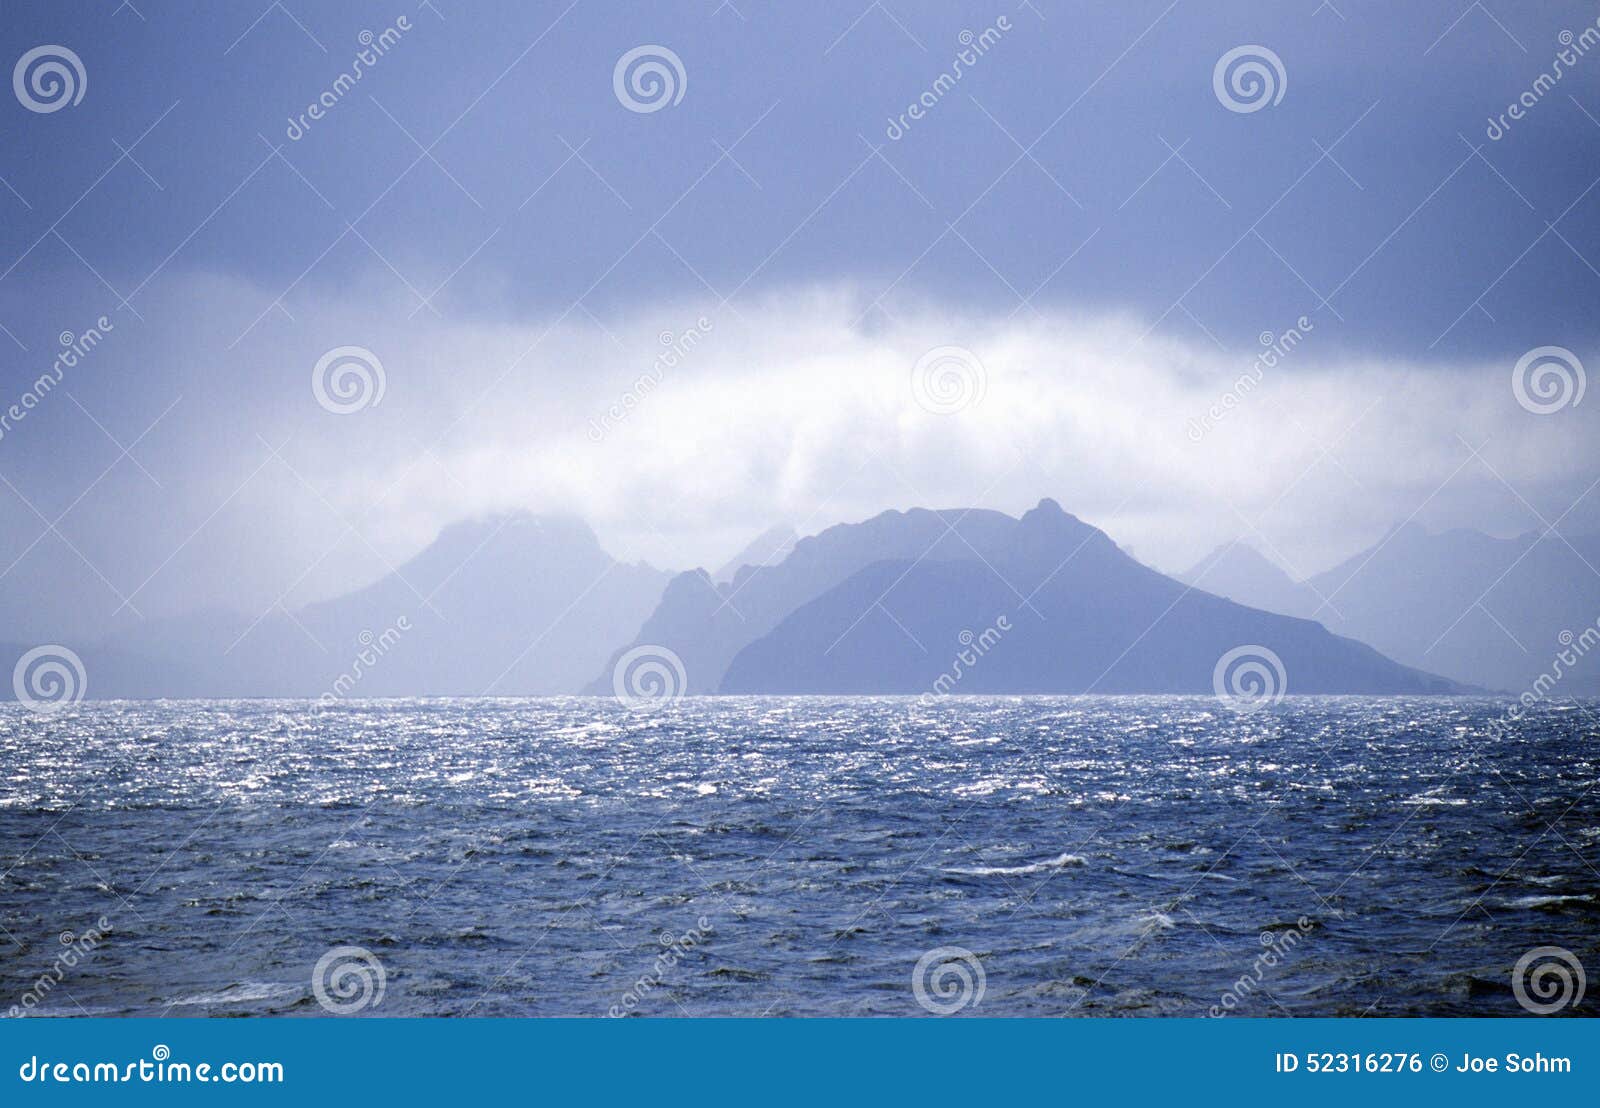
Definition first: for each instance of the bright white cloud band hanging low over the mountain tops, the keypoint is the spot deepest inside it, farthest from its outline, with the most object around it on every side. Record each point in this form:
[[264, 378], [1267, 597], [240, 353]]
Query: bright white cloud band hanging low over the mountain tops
[[686, 428]]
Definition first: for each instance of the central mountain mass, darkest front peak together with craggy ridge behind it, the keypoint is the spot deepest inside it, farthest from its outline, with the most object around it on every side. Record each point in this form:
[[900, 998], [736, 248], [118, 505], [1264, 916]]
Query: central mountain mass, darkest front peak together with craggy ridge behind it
[[1041, 604]]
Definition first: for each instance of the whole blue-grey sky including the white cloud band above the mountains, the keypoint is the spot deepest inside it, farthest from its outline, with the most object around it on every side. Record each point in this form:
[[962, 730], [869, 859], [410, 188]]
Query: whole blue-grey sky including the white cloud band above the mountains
[[1042, 283]]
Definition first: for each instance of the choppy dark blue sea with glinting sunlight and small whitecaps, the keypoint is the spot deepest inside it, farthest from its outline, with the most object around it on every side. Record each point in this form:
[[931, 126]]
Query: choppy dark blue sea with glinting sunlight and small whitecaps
[[796, 857]]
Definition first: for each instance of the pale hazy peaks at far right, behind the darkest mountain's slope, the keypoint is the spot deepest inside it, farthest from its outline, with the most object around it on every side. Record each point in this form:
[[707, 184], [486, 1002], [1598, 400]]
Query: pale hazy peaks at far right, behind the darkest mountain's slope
[[1484, 611]]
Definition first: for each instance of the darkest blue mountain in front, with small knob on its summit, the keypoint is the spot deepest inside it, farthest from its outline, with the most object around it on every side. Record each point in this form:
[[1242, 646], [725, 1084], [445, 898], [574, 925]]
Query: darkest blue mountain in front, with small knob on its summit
[[1055, 609]]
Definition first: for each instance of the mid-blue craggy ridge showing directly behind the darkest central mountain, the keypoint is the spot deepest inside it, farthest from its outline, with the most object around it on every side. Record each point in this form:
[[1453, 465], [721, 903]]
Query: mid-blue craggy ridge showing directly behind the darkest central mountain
[[706, 624]]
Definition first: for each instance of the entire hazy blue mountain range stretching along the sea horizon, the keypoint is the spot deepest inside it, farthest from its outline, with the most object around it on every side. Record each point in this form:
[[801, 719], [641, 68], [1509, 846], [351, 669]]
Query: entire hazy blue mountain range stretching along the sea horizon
[[905, 603]]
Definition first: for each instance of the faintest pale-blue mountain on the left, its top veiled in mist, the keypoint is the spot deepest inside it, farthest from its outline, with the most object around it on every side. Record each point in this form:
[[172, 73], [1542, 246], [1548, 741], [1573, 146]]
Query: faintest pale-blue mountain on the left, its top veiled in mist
[[506, 606]]
